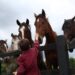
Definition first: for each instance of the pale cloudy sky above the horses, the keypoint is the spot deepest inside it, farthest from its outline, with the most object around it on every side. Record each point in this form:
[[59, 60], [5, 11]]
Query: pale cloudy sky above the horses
[[11, 10]]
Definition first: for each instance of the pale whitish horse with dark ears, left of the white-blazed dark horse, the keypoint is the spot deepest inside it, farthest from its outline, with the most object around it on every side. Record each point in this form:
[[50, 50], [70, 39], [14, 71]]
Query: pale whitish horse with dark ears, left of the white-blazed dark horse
[[14, 42]]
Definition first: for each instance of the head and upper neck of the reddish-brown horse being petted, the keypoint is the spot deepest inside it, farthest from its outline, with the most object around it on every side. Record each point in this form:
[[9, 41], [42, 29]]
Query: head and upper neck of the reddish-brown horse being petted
[[43, 27]]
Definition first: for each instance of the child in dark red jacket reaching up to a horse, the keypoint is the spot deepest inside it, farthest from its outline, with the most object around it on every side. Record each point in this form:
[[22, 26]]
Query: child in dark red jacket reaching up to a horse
[[27, 61]]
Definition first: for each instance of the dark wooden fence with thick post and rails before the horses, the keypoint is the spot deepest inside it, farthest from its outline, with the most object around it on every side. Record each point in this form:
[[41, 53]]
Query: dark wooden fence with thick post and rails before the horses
[[63, 58]]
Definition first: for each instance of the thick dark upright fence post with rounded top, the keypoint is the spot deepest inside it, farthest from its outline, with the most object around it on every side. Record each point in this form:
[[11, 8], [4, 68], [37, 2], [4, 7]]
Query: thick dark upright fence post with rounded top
[[63, 59]]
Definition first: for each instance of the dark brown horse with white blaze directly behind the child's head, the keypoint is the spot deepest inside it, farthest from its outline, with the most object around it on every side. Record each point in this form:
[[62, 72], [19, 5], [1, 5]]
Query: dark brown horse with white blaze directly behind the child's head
[[25, 31]]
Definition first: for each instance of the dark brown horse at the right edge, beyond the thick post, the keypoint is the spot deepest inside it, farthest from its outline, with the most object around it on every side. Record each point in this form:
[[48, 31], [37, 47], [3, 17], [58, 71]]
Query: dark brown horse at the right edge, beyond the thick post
[[69, 30]]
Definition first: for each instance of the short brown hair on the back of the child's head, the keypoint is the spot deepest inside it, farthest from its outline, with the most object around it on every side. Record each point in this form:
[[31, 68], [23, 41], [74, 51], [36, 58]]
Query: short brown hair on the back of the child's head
[[24, 44]]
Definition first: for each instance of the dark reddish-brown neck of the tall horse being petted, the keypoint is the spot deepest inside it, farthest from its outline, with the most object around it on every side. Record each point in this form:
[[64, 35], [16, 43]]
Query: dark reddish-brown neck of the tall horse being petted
[[50, 36]]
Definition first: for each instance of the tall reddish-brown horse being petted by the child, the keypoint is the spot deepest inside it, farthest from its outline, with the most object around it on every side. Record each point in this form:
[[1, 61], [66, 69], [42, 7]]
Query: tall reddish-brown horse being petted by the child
[[45, 30]]
